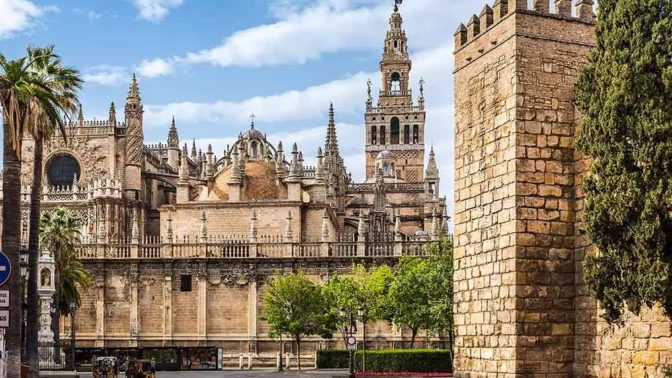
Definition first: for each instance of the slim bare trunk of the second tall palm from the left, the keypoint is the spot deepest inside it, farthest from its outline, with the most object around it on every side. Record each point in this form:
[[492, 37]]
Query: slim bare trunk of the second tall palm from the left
[[33, 253]]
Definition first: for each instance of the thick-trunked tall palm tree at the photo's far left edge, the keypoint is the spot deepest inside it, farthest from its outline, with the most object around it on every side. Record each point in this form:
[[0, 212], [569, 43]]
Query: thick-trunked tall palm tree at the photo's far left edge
[[18, 87]]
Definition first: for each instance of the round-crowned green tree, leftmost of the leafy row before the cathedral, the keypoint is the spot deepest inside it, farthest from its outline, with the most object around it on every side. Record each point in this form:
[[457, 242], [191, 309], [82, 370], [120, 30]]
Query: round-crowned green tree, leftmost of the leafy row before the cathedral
[[294, 306]]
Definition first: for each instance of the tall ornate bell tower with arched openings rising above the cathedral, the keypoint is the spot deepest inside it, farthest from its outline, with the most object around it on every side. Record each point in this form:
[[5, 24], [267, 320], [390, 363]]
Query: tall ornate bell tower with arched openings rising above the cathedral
[[395, 124]]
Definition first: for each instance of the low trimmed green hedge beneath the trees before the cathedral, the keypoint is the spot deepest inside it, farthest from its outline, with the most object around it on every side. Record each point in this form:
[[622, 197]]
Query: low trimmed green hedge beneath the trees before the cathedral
[[390, 360]]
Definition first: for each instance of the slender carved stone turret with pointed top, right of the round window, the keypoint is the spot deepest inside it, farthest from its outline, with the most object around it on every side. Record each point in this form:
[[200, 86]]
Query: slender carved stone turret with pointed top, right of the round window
[[134, 142]]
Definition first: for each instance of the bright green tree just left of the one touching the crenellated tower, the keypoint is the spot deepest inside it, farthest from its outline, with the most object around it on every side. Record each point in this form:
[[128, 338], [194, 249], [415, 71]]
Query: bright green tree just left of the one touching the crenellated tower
[[410, 295]]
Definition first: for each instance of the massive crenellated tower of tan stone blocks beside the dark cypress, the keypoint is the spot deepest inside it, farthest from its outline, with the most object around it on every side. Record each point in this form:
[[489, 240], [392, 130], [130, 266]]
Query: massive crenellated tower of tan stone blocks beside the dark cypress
[[517, 255]]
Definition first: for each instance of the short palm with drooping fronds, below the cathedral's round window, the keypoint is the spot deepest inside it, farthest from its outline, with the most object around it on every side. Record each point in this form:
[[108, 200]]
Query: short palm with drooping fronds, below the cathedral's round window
[[59, 233]]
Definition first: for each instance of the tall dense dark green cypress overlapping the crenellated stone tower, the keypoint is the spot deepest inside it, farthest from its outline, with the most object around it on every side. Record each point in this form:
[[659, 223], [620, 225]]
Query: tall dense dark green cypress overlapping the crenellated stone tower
[[625, 95]]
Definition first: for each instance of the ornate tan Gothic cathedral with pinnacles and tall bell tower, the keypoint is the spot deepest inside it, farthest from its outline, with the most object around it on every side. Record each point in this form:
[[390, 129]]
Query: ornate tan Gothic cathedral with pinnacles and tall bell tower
[[181, 242]]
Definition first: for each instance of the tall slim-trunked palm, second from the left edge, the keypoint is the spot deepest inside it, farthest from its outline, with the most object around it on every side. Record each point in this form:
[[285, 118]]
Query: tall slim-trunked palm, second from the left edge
[[63, 82]]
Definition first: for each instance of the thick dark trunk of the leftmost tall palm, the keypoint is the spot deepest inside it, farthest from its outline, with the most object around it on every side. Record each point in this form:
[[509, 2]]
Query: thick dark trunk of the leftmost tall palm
[[11, 240]]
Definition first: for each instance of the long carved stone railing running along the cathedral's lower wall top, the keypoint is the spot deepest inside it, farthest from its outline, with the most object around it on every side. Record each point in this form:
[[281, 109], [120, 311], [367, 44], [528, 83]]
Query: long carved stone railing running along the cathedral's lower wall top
[[243, 247]]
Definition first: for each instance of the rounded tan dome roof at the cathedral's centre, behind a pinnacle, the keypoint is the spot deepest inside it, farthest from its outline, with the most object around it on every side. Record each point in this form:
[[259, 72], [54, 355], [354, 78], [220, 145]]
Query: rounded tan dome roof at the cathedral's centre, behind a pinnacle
[[260, 182]]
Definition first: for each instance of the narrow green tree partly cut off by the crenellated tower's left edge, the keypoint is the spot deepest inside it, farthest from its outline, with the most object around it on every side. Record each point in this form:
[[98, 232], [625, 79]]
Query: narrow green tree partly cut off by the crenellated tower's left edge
[[440, 282]]
